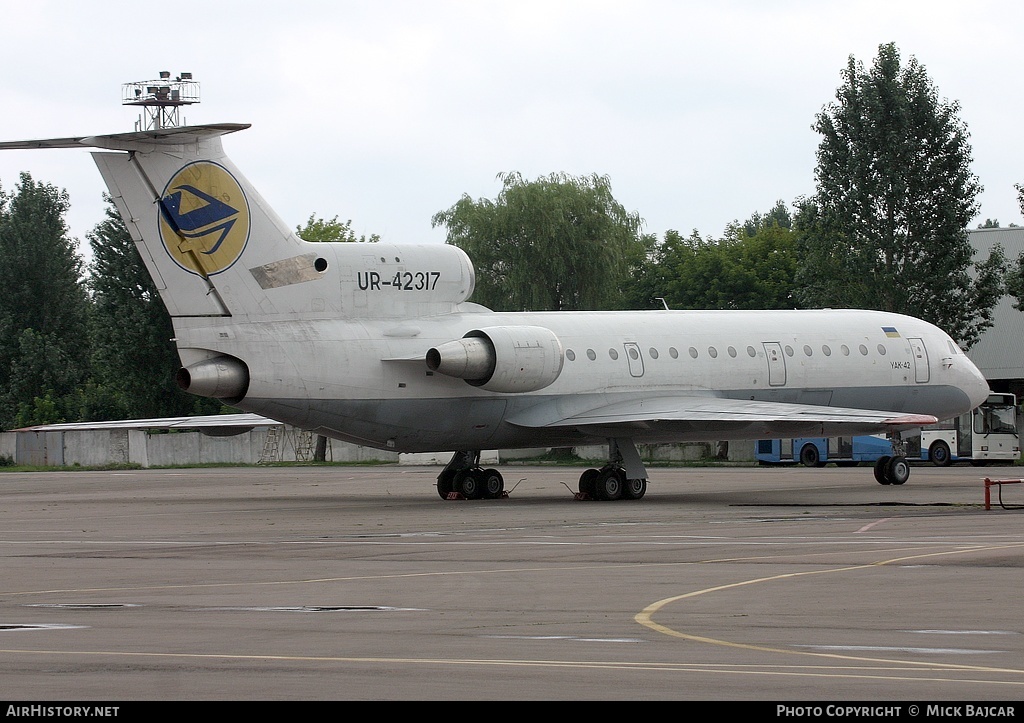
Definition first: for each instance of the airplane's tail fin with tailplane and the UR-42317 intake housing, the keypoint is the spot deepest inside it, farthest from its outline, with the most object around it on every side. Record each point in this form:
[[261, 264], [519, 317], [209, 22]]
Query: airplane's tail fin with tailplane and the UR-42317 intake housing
[[194, 217]]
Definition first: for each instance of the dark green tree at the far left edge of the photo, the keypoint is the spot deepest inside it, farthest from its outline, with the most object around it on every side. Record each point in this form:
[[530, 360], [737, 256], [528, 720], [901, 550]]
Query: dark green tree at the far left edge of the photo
[[45, 349]]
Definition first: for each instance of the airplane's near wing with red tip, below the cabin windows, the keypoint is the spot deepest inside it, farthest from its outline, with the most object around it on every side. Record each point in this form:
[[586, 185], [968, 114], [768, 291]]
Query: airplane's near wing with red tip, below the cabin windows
[[686, 417]]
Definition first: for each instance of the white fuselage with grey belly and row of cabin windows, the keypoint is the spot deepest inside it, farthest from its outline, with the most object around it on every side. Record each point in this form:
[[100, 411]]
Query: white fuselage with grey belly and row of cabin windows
[[366, 380]]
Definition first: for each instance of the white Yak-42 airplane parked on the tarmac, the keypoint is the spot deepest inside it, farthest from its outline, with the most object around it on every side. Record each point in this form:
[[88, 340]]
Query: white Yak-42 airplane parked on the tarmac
[[378, 345]]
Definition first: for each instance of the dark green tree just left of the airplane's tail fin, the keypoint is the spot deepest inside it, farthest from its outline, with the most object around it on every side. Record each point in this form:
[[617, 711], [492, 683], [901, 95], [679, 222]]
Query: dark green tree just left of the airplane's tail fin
[[135, 358]]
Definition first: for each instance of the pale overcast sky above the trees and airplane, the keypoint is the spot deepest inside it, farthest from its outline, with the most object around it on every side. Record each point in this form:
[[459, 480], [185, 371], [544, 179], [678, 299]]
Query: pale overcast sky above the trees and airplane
[[388, 112]]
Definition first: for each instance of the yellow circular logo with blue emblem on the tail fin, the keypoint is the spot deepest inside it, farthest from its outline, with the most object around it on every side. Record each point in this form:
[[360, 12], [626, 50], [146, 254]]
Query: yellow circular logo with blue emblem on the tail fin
[[204, 219]]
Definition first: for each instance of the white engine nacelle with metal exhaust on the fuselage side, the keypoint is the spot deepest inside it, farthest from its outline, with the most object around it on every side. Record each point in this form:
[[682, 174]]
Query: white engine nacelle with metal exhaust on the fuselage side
[[502, 359]]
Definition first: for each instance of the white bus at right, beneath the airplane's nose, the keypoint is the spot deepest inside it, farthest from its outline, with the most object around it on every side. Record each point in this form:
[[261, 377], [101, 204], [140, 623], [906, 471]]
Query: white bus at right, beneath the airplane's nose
[[987, 435]]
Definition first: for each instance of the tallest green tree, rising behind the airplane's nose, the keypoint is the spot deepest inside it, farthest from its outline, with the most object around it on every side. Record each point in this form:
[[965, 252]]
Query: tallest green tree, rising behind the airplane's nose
[[887, 228]]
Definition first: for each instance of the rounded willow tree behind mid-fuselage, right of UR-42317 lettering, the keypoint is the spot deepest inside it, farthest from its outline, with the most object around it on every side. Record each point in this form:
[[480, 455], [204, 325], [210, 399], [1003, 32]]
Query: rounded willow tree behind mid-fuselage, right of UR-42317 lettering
[[559, 243]]
